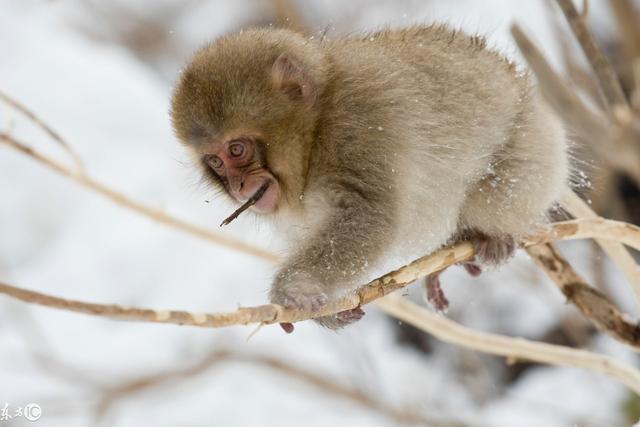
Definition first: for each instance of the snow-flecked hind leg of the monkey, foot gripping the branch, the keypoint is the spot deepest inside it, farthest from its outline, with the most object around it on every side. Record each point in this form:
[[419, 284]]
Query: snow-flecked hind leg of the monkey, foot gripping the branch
[[524, 180]]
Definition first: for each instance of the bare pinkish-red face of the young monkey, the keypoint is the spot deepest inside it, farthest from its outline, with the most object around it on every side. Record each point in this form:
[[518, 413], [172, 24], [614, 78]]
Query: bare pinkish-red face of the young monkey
[[239, 165]]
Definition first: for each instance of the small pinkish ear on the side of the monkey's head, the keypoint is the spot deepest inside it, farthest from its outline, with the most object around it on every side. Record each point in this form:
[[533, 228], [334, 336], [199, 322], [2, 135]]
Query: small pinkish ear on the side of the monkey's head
[[289, 77]]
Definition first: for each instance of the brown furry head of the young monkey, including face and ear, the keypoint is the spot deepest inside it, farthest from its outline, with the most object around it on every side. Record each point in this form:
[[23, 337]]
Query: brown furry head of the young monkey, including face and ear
[[247, 106]]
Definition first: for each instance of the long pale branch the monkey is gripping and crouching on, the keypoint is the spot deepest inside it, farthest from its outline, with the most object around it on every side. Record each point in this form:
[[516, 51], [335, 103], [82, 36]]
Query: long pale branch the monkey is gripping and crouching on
[[271, 313]]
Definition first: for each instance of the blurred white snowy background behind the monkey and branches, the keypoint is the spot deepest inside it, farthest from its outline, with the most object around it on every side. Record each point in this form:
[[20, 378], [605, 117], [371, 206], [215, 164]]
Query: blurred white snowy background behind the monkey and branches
[[101, 73]]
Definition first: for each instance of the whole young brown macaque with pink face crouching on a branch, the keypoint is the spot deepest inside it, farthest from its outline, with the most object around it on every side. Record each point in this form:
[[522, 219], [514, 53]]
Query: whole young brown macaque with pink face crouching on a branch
[[396, 142]]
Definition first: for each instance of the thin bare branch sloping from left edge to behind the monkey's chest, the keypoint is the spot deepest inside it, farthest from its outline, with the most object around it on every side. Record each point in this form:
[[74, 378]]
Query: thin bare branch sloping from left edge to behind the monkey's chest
[[124, 201]]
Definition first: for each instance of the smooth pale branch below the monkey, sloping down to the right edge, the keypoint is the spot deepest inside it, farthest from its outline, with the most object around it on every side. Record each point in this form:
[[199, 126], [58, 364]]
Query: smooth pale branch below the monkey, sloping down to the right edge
[[512, 348]]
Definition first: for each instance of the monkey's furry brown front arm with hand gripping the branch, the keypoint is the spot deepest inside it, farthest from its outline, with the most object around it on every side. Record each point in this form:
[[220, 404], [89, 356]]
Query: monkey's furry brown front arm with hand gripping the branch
[[333, 259]]
